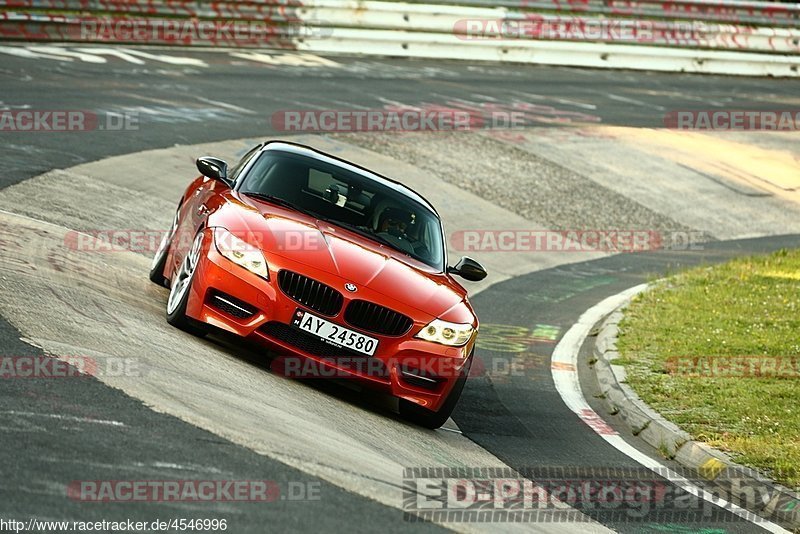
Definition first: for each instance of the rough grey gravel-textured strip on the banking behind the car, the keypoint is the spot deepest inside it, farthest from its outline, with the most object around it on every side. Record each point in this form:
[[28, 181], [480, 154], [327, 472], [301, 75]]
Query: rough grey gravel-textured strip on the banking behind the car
[[533, 187]]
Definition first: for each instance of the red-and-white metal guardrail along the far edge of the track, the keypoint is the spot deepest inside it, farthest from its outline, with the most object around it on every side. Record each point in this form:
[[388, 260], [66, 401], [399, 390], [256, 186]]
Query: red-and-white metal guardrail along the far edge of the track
[[523, 30]]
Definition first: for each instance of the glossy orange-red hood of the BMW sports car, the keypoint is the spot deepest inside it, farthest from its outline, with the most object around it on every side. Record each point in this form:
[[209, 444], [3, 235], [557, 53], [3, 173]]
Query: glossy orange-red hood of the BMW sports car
[[357, 259]]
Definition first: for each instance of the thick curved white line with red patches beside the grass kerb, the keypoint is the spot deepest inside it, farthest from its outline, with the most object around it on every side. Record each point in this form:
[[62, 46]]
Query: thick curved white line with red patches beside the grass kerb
[[565, 375]]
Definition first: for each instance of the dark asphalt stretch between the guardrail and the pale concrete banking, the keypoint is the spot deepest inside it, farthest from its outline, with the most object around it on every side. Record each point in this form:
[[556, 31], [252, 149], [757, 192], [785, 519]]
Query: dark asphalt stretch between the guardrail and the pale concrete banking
[[173, 100]]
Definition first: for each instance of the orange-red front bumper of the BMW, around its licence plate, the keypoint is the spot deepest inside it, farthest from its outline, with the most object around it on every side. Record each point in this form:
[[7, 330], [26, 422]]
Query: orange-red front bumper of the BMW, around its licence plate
[[232, 298]]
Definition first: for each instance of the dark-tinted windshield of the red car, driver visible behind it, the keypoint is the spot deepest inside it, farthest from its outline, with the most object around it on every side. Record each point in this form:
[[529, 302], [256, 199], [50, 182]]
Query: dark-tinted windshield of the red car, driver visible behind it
[[348, 200]]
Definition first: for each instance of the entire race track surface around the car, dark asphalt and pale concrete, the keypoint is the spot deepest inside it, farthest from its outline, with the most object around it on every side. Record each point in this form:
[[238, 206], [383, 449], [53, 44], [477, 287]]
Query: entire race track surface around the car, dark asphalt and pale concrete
[[212, 409]]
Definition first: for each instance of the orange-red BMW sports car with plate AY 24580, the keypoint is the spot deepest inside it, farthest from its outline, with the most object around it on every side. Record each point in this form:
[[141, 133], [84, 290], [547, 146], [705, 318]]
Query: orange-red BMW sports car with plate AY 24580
[[340, 270]]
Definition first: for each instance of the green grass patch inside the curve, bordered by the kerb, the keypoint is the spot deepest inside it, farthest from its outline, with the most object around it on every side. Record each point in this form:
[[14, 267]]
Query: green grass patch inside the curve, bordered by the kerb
[[747, 307]]
